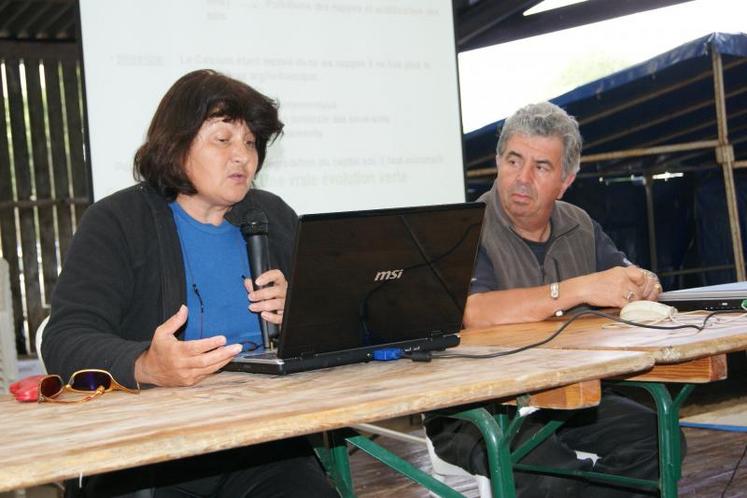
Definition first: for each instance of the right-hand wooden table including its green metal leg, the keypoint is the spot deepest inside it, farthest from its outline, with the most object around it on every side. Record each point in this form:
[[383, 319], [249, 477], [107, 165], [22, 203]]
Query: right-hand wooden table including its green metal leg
[[684, 356]]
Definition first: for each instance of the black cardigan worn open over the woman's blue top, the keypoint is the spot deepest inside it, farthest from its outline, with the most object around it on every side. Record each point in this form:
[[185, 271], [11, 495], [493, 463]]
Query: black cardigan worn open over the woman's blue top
[[123, 276]]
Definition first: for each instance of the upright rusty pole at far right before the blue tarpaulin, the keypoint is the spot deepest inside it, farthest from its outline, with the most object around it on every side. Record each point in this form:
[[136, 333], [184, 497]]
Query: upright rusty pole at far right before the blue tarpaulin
[[725, 157]]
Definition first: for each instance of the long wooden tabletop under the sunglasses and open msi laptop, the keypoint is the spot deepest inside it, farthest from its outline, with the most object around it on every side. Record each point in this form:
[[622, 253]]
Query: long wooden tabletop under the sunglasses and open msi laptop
[[48, 442]]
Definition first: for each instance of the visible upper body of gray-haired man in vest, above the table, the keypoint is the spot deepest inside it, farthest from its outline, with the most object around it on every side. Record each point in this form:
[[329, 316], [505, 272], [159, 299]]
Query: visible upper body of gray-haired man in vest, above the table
[[540, 255]]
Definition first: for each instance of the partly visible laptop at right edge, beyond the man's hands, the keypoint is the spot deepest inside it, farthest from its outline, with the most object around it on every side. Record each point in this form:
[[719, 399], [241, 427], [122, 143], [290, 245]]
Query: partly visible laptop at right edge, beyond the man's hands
[[711, 298]]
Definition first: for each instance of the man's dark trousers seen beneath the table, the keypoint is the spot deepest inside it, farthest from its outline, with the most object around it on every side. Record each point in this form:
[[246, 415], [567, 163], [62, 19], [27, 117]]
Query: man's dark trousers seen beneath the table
[[620, 431]]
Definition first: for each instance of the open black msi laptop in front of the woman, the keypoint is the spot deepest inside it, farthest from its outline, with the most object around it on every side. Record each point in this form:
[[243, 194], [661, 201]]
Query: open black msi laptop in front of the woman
[[364, 281]]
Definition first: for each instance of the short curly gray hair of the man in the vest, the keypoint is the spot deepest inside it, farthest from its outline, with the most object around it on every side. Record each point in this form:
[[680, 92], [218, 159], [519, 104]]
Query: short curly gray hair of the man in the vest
[[546, 120]]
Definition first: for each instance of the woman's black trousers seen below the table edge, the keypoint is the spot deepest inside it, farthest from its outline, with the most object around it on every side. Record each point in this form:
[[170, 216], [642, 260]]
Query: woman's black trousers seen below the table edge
[[280, 469]]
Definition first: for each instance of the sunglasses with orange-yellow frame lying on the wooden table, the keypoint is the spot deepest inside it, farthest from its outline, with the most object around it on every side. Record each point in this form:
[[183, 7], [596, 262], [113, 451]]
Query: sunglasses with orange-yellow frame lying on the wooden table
[[92, 381]]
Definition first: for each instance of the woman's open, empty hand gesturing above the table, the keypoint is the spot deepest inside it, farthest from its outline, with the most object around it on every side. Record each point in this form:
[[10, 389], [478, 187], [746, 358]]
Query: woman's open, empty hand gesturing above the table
[[171, 362]]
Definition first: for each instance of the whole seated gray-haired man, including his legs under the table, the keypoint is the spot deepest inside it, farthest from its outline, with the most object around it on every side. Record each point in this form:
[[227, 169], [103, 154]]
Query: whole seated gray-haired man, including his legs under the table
[[538, 257]]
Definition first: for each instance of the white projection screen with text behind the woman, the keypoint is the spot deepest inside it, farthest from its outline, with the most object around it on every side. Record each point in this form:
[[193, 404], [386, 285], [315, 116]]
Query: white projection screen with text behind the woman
[[367, 89]]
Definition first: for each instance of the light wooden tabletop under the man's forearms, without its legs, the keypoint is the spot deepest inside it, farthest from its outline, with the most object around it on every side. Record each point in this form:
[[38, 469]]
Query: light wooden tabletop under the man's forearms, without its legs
[[592, 333]]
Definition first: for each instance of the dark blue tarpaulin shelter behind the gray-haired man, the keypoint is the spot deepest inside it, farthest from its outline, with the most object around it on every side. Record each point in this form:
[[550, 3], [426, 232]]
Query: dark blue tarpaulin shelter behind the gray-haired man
[[667, 100]]
